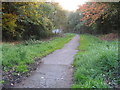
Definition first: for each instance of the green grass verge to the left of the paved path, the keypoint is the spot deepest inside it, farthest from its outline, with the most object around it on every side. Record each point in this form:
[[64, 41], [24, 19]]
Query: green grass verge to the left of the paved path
[[18, 59]]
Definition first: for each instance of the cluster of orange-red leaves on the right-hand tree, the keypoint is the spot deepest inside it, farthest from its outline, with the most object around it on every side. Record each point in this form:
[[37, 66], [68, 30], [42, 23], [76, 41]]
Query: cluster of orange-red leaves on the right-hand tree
[[93, 11]]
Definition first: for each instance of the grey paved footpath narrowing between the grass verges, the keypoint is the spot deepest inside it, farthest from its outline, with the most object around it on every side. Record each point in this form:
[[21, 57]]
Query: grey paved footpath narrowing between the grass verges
[[55, 71]]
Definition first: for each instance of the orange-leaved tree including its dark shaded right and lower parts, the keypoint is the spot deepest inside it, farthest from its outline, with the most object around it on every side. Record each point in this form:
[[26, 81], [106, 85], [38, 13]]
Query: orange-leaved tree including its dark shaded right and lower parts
[[100, 16]]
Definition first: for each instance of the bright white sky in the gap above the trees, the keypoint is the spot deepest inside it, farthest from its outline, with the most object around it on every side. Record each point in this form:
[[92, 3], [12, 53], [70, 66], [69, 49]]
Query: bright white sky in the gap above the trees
[[70, 5]]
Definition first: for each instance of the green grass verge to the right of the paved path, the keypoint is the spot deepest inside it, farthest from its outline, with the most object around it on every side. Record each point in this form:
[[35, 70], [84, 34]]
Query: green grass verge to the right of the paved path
[[96, 64]]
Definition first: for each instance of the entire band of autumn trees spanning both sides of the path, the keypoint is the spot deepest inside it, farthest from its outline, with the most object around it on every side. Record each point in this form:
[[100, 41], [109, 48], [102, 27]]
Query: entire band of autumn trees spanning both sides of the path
[[36, 20]]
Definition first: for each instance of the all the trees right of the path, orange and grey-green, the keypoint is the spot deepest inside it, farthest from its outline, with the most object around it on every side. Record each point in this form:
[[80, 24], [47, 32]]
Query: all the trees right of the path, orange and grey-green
[[95, 18]]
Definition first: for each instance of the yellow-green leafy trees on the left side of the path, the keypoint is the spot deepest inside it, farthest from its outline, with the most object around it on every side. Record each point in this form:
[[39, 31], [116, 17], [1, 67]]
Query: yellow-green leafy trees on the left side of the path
[[31, 20]]
